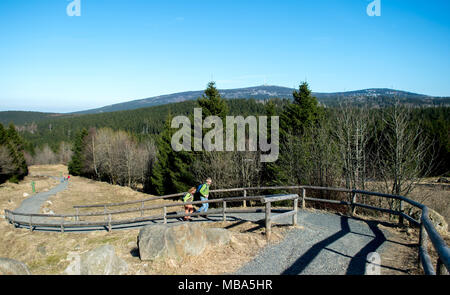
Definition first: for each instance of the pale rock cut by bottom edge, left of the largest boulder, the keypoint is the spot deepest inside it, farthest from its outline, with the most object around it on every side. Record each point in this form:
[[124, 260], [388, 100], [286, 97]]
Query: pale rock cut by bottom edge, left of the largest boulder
[[100, 261]]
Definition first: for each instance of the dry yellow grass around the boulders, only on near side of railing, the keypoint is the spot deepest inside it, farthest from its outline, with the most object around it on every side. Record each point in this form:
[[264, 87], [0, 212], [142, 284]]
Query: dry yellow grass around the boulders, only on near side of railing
[[50, 253]]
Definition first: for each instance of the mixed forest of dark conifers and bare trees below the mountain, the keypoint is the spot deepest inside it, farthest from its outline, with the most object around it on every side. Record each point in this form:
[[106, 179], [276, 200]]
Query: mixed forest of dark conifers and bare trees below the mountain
[[343, 146]]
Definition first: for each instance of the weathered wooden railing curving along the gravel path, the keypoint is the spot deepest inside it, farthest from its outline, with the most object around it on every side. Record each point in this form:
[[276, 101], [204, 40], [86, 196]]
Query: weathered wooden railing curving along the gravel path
[[427, 230]]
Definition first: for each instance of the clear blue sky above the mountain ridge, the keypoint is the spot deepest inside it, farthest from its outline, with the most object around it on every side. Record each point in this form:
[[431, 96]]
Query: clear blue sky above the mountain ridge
[[121, 50]]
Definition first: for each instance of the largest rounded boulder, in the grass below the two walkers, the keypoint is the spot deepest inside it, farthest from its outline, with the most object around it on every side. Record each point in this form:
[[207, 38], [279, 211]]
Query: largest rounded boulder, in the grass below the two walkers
[[164, 241]]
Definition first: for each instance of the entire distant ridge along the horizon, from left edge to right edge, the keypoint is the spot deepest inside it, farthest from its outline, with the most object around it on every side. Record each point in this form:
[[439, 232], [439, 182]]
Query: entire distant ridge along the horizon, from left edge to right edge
[[375, 97]]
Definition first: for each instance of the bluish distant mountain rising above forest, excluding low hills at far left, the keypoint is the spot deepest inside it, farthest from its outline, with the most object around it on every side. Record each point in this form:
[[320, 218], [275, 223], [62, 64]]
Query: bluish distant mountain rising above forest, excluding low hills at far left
[[372, 97]]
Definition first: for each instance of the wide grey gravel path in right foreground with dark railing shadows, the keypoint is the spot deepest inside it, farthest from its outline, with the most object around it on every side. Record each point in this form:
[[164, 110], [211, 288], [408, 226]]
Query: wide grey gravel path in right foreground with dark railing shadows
[[324, 244]]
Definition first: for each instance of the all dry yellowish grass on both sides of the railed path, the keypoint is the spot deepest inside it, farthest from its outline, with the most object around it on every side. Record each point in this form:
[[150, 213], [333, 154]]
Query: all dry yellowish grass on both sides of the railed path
[[51, 252]]
